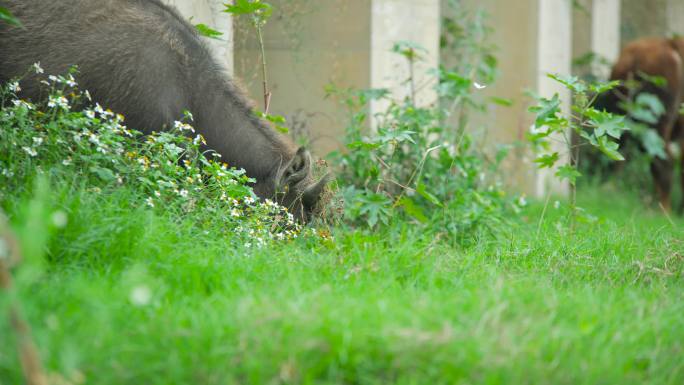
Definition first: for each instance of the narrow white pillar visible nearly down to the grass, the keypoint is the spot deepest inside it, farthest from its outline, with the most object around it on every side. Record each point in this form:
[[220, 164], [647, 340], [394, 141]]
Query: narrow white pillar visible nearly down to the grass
[[554, 50]]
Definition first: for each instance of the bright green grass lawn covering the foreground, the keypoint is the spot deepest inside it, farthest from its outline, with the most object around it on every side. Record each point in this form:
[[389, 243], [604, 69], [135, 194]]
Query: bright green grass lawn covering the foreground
[[535, 305]]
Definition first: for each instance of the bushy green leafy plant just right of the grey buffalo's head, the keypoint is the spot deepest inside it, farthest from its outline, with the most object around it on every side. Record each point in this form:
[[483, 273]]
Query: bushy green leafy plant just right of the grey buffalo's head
[[415, 165]]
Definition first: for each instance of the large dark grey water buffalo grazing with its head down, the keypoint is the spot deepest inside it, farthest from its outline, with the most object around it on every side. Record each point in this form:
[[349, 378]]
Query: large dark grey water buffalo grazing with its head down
[[142, 59]]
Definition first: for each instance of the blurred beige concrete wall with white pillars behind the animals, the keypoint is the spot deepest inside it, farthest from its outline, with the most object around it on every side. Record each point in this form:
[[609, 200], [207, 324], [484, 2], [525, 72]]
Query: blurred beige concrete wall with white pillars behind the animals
[[507, 46]]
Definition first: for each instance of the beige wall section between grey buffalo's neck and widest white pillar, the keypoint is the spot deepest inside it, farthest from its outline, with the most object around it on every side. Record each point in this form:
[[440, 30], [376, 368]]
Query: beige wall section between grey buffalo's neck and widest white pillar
[[309, 44]]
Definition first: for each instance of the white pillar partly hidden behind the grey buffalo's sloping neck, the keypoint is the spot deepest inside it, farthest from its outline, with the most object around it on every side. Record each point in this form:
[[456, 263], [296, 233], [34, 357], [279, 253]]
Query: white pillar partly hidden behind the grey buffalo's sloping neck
[[209, 12]]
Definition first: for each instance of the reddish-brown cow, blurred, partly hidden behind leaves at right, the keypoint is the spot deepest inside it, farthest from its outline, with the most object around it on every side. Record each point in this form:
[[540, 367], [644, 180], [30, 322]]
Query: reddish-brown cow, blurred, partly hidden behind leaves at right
[[663, 58]]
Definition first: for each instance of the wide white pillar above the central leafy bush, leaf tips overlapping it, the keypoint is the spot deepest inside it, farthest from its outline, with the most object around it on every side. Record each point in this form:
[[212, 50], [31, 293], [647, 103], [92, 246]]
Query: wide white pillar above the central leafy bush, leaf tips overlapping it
[[415, 21]]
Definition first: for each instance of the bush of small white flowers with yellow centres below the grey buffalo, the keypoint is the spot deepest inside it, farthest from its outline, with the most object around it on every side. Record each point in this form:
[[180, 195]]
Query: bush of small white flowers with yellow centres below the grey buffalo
[[168, 170]]
